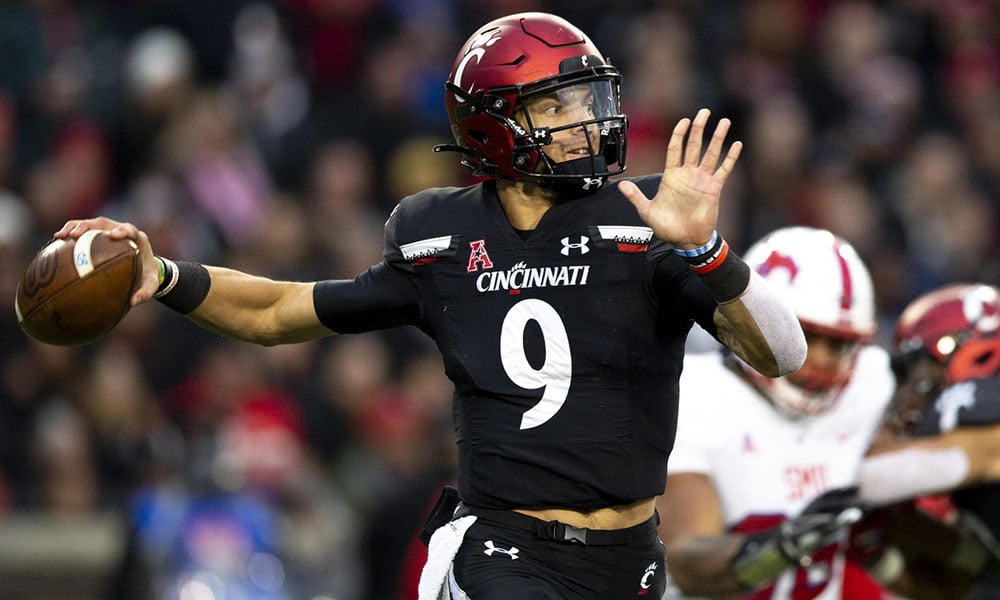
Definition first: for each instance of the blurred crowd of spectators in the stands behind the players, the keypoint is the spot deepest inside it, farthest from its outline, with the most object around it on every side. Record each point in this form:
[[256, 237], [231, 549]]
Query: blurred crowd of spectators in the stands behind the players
[[275, 137]]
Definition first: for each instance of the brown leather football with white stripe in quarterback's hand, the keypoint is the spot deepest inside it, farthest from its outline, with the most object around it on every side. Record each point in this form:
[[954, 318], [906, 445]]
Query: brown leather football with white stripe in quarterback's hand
[[75, 291]]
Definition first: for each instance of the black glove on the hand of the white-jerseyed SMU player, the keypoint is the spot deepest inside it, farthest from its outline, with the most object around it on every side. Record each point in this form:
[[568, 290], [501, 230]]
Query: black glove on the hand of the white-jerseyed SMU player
[[792, 543]]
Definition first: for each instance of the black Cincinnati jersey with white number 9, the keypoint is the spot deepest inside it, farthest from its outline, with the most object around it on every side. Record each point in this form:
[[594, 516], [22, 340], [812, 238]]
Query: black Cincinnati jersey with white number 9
[[564, 345]]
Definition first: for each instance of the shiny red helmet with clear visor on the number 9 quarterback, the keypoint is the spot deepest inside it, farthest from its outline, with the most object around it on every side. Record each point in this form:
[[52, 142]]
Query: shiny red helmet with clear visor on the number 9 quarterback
[[531, 98]]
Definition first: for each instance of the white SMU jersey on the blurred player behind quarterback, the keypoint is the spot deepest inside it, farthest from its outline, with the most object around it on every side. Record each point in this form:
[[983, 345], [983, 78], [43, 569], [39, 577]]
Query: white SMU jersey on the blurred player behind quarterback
[[766, 467]]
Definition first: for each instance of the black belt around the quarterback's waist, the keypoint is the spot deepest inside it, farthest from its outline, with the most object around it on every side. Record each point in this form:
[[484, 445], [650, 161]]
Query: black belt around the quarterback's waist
[[556, 530]]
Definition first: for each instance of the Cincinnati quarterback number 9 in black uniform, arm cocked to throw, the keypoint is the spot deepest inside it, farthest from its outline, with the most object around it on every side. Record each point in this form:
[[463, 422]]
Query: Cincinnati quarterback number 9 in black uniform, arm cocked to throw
[[559, 302]]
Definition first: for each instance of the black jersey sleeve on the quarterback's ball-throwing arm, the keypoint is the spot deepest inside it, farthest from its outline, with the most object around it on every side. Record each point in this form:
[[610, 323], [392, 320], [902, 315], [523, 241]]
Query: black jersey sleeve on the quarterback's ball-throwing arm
[[381, 297]]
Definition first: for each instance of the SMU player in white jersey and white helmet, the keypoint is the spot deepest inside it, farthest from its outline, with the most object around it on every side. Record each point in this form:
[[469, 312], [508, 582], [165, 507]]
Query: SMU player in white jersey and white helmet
[[753, 453]]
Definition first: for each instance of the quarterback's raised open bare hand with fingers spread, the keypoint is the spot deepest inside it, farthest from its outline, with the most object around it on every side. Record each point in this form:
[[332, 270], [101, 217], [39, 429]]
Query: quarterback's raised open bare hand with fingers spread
[[685, 209]]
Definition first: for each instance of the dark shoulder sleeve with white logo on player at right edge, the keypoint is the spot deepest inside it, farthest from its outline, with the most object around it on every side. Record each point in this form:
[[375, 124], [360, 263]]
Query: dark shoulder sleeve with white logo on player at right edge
[[969, 403]]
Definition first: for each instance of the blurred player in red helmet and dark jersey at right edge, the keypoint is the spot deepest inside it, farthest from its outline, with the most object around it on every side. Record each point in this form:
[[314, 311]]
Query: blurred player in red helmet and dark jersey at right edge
[[942, 436]]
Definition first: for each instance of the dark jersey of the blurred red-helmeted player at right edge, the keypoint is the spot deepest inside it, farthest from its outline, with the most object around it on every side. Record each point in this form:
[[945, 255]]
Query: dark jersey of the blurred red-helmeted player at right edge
[[971, 403]]
